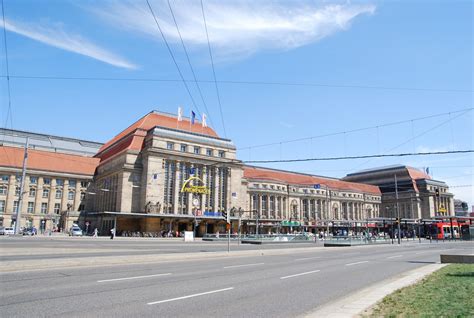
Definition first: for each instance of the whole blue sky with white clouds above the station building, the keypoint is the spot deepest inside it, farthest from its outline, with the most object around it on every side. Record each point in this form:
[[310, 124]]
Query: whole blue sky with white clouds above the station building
[[419, 52]]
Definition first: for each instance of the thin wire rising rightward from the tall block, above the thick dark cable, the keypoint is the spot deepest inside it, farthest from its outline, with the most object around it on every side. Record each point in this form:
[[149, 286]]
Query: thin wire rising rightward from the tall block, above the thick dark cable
[[356, 130]]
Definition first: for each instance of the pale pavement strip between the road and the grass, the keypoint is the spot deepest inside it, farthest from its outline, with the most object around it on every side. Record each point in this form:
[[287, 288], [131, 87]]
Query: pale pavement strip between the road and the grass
[[356, 304]]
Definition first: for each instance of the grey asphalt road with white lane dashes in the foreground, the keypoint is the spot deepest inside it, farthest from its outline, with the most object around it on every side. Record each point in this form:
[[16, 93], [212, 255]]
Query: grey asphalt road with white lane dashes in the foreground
[[259, 286]]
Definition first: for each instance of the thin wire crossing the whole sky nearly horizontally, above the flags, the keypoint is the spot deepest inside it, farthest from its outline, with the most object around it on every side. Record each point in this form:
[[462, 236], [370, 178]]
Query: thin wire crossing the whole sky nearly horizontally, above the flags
[[234, 82]]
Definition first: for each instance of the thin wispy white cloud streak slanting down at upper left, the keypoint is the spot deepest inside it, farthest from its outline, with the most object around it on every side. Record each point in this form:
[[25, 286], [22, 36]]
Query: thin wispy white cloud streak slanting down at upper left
[[57, 37]]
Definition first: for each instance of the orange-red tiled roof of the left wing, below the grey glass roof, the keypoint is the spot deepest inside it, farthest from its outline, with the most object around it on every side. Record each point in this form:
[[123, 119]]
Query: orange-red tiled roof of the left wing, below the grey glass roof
[[48, 161]]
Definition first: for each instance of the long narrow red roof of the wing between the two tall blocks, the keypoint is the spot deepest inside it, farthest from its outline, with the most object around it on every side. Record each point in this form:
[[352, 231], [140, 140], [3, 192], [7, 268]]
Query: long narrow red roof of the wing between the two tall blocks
[[302, 179]]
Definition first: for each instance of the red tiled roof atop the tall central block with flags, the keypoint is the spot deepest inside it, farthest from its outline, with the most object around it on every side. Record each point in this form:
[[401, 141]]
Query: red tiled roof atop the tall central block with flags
[[133, 136]]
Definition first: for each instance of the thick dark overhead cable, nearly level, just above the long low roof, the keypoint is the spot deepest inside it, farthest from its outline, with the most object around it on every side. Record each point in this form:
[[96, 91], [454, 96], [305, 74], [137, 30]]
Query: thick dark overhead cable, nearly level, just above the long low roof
[[362, 157]]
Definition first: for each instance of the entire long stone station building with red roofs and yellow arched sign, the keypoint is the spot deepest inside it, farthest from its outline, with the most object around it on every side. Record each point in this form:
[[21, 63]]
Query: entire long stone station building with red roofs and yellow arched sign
[[162, 174]]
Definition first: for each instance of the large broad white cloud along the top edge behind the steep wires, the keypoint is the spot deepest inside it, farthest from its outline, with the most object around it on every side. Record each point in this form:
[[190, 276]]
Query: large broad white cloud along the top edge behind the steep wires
[[238, 28]]
